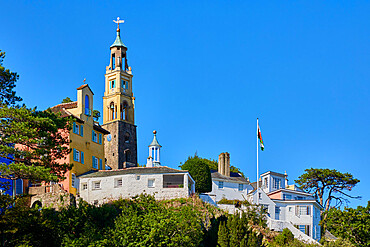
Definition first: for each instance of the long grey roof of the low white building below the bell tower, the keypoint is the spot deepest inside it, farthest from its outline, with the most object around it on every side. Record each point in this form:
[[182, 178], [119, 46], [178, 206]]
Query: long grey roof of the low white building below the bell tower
[[132, 170]]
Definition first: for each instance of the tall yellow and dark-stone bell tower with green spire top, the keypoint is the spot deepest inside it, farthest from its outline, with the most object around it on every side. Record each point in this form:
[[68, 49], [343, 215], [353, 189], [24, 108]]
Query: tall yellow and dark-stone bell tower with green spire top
[[119, 108]]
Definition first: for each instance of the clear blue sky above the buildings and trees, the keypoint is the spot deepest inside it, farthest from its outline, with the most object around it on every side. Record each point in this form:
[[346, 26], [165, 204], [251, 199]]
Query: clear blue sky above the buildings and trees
[[205, 70]]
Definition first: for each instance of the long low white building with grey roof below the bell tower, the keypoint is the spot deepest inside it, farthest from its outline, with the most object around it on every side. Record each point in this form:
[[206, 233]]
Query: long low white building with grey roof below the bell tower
[[161, 182]]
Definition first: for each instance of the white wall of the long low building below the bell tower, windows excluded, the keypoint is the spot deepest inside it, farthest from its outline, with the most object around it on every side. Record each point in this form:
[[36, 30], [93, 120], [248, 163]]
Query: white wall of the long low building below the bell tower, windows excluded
[[131, 187]]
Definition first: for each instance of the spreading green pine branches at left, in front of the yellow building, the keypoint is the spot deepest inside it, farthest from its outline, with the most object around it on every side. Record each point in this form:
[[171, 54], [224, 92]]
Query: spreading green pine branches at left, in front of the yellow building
[[38, 143]]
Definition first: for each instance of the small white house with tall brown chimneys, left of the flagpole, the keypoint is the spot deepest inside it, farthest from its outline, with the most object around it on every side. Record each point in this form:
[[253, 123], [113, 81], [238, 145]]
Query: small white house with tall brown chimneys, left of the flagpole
[[226, 184]]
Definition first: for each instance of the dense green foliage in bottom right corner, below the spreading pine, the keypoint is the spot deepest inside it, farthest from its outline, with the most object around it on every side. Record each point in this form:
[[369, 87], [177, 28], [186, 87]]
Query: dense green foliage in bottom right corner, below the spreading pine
[[349, 223]]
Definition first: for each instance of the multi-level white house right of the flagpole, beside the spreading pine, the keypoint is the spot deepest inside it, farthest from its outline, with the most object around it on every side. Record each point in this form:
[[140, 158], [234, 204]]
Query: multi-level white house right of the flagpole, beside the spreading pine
[[287, 205]]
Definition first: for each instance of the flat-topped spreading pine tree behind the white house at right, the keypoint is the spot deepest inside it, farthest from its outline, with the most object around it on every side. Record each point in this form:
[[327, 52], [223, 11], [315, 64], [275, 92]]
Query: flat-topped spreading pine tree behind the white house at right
[[328, 185]]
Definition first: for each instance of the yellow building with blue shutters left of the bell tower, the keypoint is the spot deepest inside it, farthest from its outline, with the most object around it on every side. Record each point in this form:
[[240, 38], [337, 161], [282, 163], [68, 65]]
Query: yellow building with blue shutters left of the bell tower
[[86, 138]]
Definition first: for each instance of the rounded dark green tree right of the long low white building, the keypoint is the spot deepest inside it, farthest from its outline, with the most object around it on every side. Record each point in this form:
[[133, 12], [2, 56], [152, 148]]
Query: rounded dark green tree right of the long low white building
[[200, 172]]
